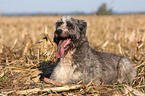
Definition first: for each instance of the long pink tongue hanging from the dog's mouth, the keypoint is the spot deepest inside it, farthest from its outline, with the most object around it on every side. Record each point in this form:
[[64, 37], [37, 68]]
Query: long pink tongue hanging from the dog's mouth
[[60, 48]]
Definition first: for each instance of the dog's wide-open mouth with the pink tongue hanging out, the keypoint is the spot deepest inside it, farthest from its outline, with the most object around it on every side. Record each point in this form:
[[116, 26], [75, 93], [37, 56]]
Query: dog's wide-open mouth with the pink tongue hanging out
[[63, 45]]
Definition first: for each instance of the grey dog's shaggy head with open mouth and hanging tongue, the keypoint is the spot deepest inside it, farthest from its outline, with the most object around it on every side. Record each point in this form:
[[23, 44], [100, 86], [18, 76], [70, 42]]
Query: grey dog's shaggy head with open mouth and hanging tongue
[[68, 34]]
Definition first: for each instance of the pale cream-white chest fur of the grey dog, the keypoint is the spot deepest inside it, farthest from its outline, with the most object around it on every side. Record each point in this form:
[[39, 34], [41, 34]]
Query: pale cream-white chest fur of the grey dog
[[64, 71]]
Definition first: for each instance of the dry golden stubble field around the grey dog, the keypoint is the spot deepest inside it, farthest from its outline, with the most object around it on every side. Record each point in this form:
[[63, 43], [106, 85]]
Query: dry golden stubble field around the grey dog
[[23, 47]]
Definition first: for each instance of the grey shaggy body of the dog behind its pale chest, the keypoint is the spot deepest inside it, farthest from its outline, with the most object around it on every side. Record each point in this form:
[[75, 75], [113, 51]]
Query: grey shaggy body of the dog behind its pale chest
[[99, 66]]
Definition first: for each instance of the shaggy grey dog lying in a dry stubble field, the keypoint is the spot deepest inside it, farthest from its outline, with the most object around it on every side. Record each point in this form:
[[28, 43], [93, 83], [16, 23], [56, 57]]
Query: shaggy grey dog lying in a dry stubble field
[[77, 61]]
